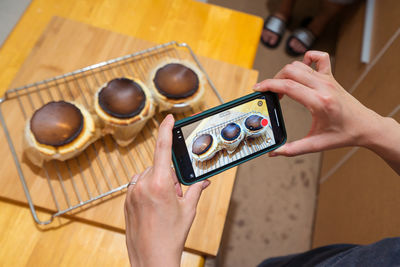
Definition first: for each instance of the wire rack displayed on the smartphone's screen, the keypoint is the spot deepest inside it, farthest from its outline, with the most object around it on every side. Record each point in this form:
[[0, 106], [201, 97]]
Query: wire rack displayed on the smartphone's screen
[[222, 158]]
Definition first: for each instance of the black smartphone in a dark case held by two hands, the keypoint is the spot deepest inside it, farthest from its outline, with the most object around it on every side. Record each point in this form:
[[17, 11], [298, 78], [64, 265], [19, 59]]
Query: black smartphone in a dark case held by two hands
[[225, 136]]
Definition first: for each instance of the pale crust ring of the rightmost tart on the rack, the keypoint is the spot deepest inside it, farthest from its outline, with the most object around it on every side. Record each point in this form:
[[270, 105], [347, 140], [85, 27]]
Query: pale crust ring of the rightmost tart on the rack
[[176, 105]]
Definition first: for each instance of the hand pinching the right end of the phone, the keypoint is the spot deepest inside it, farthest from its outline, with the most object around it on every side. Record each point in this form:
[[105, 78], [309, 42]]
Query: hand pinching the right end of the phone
[[338, 119]]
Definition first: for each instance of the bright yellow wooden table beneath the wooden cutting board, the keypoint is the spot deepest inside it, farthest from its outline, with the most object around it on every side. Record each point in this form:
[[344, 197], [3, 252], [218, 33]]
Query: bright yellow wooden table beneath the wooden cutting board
[[37, 247]]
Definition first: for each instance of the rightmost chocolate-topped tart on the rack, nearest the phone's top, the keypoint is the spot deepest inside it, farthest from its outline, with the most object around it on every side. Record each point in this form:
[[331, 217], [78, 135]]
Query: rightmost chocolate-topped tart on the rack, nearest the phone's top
[[177, 85]]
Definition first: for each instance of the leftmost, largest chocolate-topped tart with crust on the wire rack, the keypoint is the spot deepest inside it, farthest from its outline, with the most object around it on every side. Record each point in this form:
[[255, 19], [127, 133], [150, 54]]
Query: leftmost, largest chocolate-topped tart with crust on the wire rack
[[58, 130]]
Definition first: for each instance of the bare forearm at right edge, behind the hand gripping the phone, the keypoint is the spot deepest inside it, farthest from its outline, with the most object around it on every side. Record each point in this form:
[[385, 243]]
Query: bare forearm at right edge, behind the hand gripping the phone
[[383, 138]]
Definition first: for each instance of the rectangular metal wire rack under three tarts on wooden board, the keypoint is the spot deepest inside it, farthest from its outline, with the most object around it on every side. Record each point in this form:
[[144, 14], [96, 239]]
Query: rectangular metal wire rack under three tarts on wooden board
[[104, 168]]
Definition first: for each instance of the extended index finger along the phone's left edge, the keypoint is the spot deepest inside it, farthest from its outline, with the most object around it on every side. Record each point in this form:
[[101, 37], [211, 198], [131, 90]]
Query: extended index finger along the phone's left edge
[[162, 153]]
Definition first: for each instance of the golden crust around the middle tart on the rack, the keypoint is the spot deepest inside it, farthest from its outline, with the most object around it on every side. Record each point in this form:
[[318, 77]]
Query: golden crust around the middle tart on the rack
[[125, 130]]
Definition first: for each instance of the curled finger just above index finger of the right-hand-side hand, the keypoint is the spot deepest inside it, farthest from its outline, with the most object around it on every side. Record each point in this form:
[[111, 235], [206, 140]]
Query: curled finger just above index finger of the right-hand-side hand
[[298, 74]]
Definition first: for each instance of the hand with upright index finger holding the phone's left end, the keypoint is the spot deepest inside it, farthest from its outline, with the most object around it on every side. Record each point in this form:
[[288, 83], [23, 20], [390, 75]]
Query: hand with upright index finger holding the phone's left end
[[157, 214]]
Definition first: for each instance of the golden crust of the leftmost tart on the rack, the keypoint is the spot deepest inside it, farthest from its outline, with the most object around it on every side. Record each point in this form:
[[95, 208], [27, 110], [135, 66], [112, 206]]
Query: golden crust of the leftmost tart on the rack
[[39, 153]]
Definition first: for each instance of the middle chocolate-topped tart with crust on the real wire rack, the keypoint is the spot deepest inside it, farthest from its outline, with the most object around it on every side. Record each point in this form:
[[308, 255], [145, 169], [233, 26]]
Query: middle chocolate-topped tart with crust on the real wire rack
[[123, 106]]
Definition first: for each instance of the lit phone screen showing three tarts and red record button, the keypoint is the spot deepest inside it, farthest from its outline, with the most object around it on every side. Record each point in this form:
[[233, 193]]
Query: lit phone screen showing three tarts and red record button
[[228, 136]]
